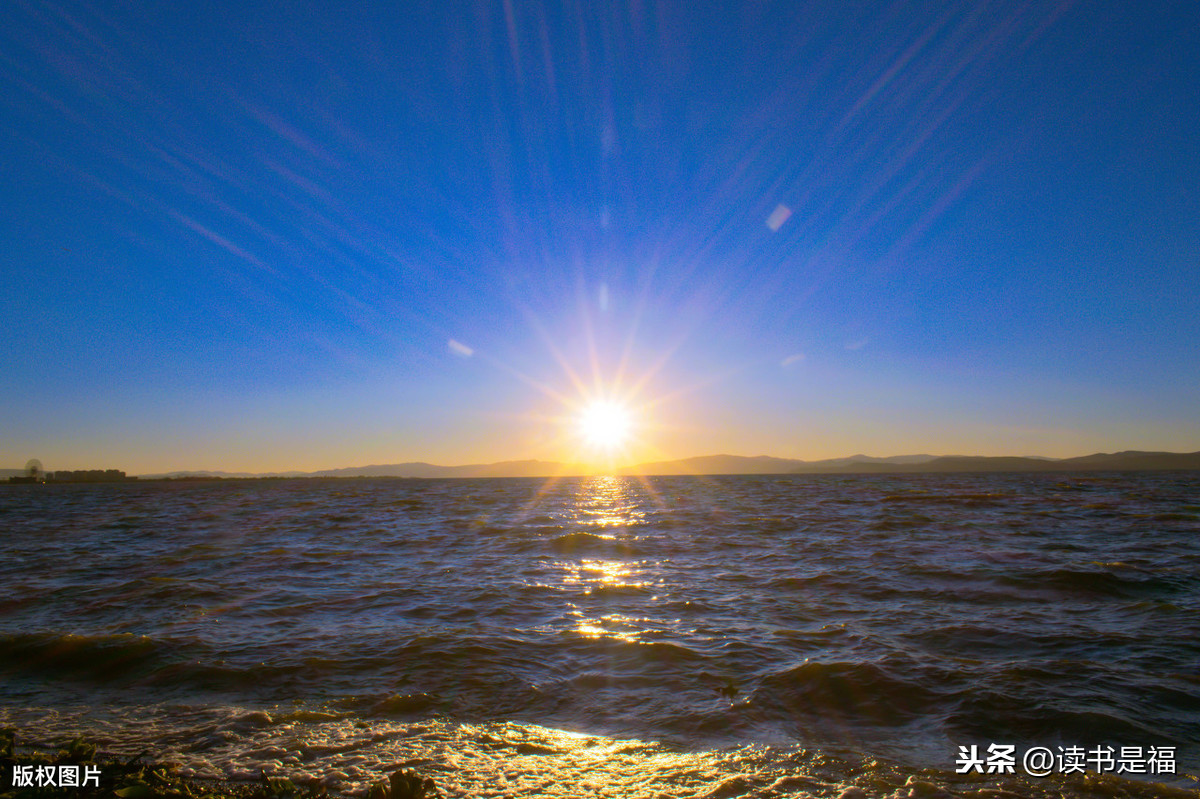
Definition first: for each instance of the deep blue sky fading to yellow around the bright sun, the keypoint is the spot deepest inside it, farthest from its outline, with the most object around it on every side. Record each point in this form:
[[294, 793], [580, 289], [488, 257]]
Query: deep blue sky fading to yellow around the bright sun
[[244, 236]]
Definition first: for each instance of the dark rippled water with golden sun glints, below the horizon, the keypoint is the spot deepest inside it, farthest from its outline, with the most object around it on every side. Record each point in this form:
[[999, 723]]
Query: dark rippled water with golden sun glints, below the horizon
[[759, 636]]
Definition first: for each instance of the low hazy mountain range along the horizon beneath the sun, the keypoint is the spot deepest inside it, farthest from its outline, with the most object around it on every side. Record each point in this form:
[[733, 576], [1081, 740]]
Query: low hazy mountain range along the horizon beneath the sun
[[716, 465]]
